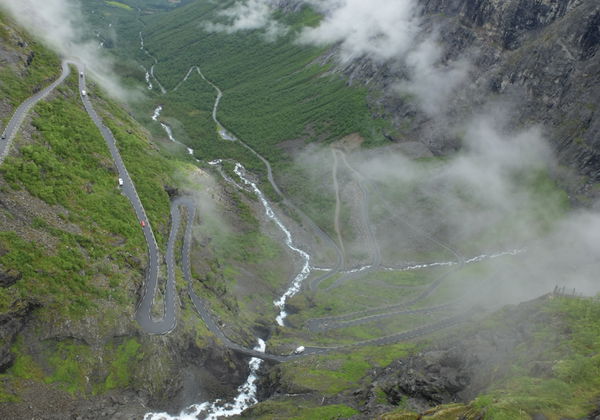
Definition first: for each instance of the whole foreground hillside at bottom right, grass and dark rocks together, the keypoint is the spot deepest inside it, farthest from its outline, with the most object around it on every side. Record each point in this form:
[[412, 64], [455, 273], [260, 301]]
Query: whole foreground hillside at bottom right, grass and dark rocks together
[[534, 360]]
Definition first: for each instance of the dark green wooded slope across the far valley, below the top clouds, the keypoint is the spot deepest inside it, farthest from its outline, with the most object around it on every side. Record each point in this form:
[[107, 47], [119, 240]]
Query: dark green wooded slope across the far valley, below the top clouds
[[274, 91]]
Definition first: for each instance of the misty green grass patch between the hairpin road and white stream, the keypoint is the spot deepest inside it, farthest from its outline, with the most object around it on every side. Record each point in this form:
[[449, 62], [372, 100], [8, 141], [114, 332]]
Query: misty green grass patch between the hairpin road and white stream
[[246, 267]]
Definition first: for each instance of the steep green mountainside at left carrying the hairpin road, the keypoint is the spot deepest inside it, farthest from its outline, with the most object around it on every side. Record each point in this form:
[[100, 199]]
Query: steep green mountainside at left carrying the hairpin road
[[73, 258]]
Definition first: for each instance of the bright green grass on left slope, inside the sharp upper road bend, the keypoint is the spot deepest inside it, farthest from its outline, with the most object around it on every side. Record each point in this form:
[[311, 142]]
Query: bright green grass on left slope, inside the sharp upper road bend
[[68, 165]]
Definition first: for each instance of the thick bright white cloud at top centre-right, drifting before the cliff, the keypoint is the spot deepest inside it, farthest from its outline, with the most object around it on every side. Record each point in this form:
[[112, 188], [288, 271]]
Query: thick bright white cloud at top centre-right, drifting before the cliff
[[391, 32]]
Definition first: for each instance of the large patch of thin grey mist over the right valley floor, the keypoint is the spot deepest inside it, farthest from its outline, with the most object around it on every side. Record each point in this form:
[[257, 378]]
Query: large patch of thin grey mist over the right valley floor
[[496, 195]]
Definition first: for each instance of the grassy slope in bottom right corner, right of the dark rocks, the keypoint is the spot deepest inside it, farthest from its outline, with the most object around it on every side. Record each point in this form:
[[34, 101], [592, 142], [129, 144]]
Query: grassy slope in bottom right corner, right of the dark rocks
[[564, 341]]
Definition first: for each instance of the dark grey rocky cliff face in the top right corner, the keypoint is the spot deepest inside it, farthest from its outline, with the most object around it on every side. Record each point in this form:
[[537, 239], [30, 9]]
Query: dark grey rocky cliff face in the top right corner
[[546, 52]]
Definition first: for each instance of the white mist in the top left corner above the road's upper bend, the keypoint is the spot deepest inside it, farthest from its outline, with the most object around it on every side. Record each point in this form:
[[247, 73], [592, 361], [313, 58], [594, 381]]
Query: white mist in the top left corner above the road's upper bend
[[61, 26]]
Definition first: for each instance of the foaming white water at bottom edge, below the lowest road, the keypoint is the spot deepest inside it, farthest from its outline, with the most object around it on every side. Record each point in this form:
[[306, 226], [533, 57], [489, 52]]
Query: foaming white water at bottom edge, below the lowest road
[[213, 410]]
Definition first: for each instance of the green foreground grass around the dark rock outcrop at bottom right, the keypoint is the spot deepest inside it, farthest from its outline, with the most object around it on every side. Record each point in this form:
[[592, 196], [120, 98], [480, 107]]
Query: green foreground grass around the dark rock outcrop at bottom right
[[553, 370]]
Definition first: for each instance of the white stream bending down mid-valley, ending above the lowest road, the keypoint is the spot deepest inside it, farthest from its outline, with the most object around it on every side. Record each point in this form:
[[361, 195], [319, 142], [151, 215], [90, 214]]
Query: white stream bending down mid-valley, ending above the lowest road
[[305, 272]]
